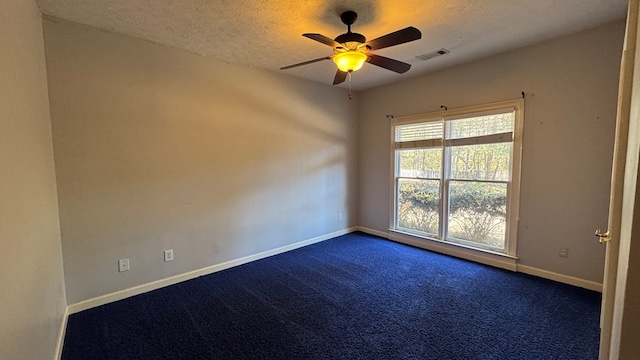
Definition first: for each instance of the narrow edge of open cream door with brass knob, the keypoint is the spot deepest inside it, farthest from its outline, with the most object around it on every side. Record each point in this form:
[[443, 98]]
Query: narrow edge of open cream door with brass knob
[[611, 237]]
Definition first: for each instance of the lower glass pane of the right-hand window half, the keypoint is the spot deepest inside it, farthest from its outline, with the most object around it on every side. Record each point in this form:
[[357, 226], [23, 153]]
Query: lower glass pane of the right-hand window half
[[477, 212]]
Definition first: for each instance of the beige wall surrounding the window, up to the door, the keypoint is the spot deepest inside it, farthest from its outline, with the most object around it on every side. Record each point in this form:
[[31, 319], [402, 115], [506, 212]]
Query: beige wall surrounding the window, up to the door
[[571, 86]]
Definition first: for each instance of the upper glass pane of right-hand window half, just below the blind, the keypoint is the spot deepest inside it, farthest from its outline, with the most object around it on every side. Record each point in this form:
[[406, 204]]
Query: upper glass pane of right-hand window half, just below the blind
[[481, 162]]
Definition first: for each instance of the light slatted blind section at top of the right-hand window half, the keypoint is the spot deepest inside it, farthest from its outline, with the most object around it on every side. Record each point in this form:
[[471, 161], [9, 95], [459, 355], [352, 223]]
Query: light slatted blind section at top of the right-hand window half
[[479, 126]]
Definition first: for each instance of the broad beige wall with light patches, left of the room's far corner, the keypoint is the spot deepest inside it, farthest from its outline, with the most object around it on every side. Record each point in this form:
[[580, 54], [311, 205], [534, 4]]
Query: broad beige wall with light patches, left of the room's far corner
[[158, 148]]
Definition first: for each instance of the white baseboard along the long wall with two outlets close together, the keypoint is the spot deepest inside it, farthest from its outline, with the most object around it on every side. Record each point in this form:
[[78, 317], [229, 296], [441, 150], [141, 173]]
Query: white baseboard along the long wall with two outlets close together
[[136, 290]]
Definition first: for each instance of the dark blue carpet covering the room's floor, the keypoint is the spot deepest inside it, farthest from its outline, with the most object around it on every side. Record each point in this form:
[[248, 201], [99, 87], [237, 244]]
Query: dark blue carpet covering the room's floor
[[352, 297]]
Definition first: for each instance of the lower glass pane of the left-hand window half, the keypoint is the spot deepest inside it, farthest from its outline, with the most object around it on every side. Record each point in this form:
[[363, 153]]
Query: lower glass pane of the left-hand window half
[[418, 202]]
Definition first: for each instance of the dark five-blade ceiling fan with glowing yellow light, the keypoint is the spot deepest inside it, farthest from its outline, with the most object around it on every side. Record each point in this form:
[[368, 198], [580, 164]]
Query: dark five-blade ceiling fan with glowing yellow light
[[351, 50]]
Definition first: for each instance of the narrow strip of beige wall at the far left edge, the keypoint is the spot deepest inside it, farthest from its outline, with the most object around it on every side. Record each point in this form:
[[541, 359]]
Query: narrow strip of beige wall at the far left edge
[[31, 277]]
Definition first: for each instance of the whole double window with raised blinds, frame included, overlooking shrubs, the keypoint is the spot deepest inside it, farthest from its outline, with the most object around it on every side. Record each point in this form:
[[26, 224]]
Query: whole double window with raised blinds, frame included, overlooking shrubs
[[456, 176]]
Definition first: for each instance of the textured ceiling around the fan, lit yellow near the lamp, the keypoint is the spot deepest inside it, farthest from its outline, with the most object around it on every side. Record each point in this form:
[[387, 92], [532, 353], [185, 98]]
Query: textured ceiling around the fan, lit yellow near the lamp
[[267, 33]]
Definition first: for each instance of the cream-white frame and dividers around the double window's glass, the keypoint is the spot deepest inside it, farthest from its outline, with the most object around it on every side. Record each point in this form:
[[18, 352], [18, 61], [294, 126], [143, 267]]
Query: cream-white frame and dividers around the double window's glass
[[513, 183]]
